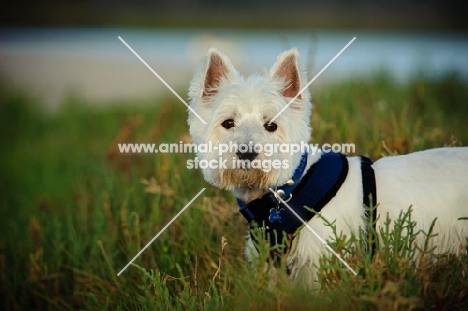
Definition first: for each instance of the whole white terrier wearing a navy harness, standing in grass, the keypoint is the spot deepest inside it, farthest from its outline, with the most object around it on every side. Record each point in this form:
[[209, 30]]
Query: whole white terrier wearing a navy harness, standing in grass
[[239, 112]]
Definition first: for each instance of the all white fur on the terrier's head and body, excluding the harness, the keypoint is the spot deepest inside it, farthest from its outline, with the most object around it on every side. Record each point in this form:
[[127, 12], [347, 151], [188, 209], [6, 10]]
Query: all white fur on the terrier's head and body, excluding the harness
[[433, 182]]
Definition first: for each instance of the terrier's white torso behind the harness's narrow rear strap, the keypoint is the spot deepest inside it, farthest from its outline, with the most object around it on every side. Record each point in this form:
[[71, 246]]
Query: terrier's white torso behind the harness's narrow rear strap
[[435, 184]]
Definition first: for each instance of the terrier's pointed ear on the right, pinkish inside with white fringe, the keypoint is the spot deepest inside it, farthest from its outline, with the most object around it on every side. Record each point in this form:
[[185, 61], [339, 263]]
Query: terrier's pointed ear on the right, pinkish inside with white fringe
[[287, 68]]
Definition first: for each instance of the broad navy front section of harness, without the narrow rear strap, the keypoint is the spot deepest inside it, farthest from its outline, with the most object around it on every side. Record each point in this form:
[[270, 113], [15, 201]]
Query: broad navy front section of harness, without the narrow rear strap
[[318, 186]]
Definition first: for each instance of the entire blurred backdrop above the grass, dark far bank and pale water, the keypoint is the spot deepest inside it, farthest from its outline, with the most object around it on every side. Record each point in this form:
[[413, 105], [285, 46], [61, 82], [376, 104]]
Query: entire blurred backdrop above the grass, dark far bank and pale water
[[57, 48]]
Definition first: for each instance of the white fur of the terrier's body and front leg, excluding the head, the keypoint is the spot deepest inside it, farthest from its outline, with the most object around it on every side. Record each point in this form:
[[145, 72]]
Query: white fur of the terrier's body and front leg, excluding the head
[[432, 182]]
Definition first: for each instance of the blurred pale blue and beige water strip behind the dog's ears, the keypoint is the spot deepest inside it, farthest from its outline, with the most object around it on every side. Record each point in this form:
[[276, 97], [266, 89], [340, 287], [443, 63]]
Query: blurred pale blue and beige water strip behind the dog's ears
[[94, 63]]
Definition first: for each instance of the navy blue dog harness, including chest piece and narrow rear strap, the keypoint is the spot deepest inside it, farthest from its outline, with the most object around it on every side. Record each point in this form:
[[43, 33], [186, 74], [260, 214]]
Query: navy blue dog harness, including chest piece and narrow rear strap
[[319, 185]]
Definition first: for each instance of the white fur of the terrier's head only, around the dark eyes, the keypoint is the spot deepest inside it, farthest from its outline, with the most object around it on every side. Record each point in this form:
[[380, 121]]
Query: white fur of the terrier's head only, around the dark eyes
[[250, 102]]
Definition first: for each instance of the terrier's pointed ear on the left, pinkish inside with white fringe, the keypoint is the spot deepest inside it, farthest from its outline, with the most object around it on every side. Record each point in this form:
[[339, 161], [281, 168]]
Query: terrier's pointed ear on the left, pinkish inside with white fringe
[[217, 67]]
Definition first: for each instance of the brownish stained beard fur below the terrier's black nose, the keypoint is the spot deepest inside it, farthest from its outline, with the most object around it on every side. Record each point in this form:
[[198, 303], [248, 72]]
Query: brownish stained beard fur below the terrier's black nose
[[252, 178]]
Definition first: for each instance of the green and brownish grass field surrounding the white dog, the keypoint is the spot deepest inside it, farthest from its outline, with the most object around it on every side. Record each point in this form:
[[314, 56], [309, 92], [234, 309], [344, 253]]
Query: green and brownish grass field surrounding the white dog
[[74, 210]]
